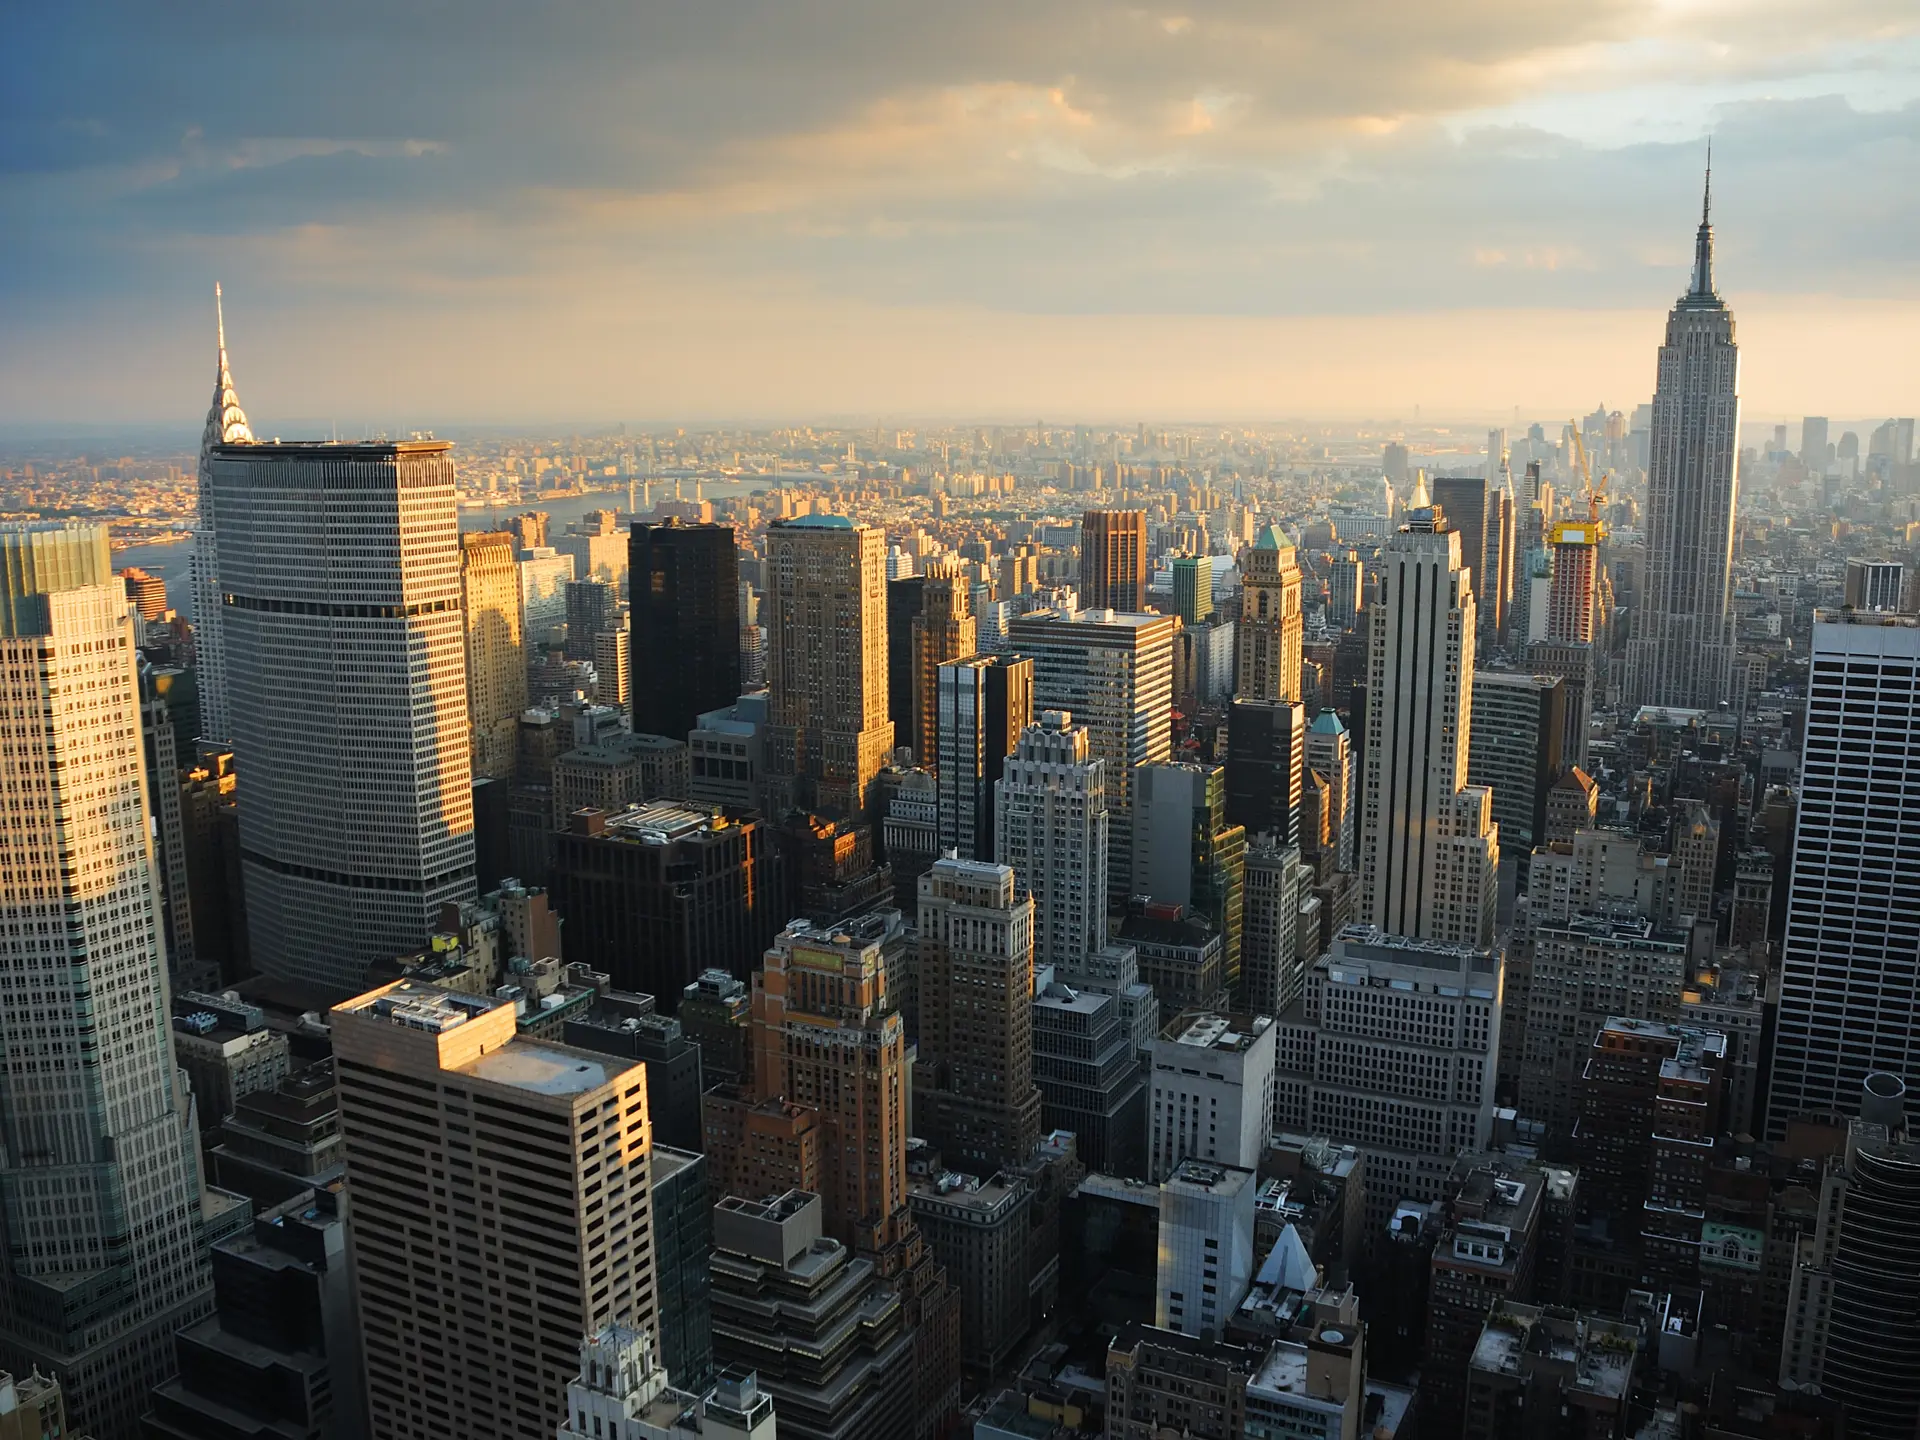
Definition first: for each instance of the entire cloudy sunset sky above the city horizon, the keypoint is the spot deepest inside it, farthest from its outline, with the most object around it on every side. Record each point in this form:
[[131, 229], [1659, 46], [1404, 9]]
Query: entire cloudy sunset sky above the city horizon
[[752, 208]]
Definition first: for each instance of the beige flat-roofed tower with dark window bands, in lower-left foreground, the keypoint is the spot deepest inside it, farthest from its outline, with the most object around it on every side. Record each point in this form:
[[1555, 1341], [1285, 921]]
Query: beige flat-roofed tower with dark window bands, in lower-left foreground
[[544, 1159]]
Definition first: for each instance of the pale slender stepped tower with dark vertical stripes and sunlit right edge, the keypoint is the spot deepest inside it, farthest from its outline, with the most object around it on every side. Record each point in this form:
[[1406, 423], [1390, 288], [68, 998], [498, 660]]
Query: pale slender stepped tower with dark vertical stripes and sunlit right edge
[[1429, 846]]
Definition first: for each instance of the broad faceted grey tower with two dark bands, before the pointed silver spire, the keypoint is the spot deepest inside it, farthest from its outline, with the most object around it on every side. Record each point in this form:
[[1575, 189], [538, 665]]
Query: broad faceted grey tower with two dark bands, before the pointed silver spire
[[341, 594]]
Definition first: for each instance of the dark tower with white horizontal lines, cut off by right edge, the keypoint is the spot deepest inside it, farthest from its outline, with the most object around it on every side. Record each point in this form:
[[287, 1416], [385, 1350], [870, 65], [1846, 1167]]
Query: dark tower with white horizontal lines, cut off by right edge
[[1850, 965]]
